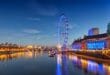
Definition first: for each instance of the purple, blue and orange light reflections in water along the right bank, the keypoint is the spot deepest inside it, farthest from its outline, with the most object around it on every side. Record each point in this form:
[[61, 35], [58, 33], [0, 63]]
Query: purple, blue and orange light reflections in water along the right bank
[[89, 66]]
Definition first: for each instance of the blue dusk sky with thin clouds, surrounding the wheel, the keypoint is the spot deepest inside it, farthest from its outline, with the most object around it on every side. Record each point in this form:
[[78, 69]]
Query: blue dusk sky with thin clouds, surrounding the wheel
[[35, 21]]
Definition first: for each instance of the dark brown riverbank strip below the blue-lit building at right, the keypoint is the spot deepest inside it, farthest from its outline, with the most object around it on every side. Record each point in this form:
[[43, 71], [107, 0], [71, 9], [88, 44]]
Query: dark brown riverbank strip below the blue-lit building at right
[[98, 57]]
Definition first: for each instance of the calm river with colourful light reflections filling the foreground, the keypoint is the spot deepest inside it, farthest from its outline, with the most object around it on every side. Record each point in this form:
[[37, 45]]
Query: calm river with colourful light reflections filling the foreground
[[40, 63]]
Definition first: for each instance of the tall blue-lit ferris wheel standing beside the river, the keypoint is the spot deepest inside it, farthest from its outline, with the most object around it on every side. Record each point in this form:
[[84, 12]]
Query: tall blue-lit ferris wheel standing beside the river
[[63, 28]]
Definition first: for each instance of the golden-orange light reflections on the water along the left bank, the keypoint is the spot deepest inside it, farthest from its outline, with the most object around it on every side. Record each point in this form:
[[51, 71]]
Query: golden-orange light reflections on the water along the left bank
[[29, 54]]
